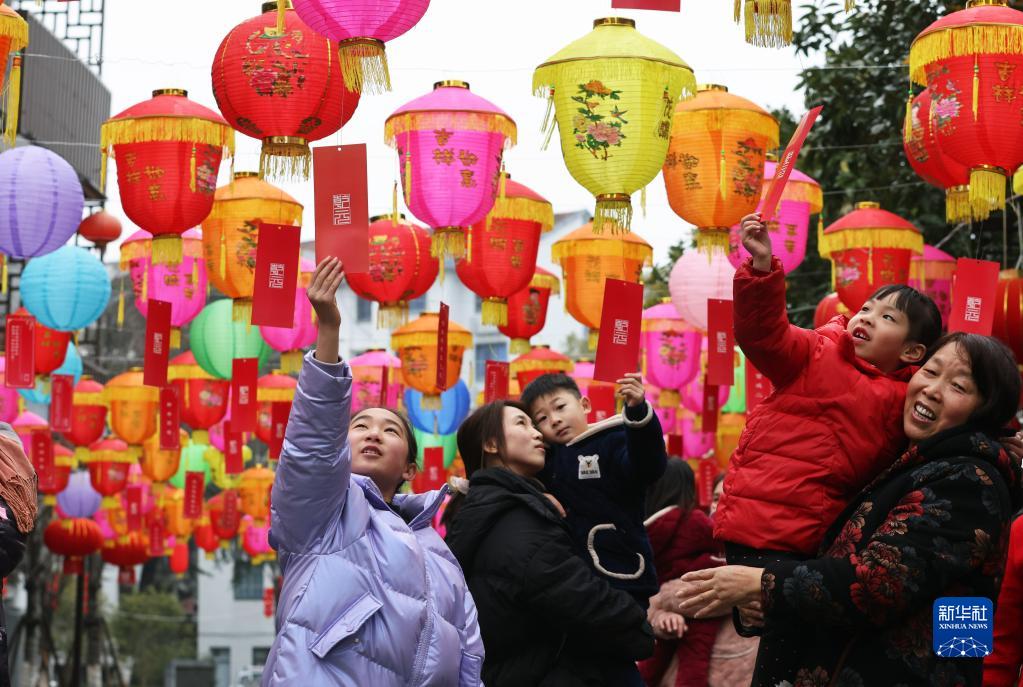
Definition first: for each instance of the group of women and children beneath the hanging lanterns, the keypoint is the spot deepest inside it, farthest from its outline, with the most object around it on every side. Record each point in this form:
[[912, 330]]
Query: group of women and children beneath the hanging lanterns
[[881, 475]]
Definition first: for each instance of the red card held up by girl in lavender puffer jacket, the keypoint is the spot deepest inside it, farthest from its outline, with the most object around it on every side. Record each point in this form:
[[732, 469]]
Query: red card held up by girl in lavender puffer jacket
[[342, 206]]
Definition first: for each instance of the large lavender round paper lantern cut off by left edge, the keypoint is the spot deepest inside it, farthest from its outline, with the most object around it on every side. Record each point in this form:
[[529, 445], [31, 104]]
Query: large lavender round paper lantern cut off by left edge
[[43, 201]]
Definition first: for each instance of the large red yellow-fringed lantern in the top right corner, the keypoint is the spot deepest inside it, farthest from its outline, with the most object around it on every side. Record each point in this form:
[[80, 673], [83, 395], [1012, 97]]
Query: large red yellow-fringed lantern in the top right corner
[[972, 61]]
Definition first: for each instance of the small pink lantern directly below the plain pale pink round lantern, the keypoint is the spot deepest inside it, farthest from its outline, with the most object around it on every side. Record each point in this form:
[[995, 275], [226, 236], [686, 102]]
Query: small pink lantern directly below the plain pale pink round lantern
[[672, 352]]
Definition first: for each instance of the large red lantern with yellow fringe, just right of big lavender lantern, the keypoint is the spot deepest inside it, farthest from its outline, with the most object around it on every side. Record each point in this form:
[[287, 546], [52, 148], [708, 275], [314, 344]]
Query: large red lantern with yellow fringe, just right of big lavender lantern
[[169, 152]]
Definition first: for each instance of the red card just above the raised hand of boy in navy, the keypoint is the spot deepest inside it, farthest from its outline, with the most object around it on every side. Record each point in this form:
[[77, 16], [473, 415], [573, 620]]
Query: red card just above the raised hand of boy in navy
[[618, 346]]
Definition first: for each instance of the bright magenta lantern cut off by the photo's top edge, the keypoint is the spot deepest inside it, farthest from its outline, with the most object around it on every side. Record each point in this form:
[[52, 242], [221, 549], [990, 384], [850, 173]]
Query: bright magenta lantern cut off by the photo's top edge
[[362, 29]]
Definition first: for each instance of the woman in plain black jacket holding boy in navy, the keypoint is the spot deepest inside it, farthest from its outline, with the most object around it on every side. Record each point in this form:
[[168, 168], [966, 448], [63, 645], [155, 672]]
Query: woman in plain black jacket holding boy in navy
[[546, 618]]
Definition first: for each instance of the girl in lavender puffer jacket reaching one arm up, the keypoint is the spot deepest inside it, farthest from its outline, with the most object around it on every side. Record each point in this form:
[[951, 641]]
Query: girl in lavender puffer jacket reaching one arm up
[[372, 596]]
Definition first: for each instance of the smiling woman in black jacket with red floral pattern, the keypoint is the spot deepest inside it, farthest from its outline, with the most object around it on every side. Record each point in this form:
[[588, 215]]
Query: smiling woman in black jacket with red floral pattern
[[933, 525]]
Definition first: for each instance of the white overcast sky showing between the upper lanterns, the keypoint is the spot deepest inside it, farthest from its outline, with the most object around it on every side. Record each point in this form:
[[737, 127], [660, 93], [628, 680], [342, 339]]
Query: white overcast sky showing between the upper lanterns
[[494, 45]]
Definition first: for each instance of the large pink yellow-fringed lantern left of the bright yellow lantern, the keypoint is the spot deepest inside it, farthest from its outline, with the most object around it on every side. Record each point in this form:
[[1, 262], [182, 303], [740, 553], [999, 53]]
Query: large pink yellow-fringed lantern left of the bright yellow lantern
[[451, 144]]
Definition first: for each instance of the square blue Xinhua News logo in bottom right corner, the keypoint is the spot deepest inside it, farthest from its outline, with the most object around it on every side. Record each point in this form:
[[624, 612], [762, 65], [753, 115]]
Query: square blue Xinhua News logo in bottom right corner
[[964, 627]]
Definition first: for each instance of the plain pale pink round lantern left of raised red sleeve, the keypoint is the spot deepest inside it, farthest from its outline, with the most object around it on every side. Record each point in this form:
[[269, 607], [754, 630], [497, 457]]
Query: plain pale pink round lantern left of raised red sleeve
[[697, 278]]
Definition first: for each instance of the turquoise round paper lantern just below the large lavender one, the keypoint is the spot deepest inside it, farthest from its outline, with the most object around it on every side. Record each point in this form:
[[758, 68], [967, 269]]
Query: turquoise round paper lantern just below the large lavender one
[[67, 290]]
